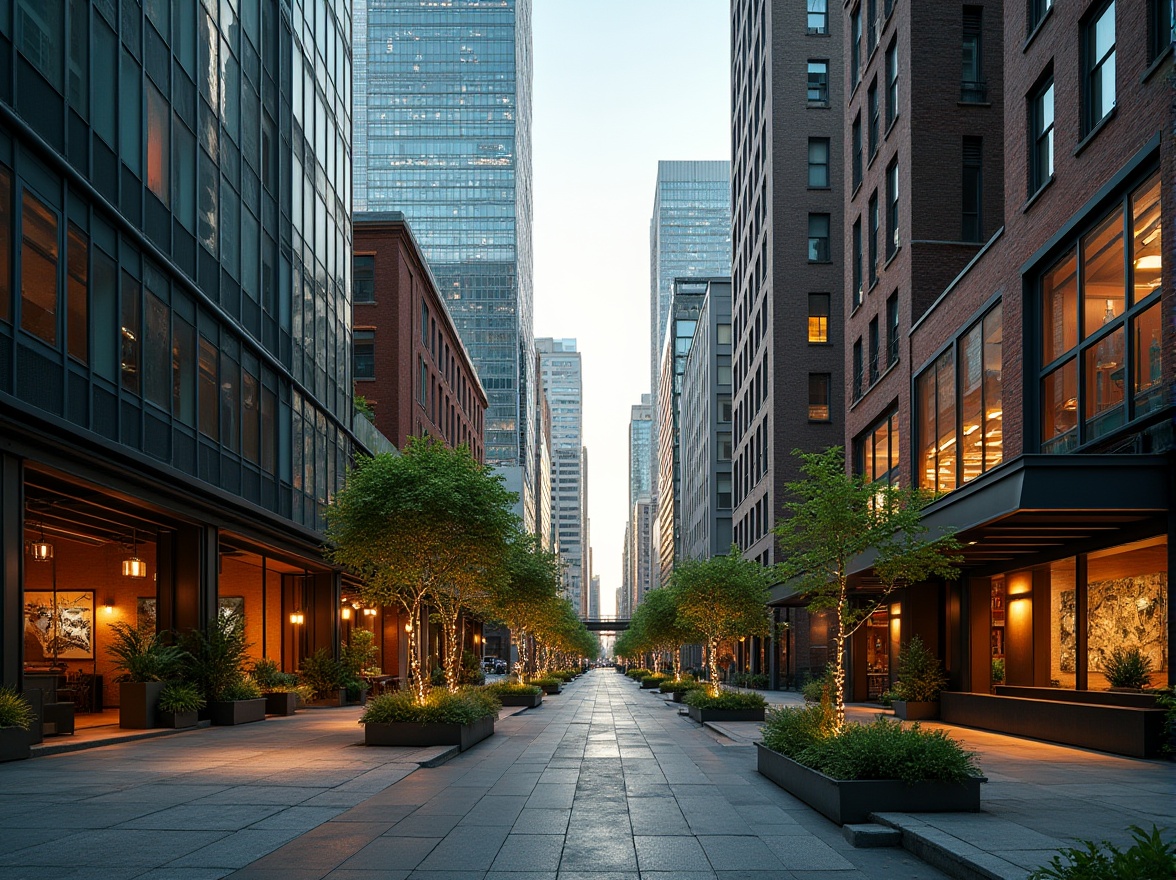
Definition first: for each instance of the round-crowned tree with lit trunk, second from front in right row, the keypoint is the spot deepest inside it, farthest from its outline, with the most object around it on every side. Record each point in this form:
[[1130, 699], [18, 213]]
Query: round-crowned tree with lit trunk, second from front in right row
[[723, 598]]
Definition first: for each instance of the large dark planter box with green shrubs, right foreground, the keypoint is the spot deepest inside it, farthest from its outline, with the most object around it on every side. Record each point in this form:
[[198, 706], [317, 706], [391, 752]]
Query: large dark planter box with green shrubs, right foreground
[[850, 772]]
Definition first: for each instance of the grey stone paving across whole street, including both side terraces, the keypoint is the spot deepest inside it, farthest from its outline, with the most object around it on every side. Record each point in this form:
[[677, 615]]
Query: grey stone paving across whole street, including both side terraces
[[604, 782]]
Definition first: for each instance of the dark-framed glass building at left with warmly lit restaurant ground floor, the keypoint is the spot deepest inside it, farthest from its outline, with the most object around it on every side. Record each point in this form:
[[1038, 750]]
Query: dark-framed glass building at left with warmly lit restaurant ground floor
[[176, 322]]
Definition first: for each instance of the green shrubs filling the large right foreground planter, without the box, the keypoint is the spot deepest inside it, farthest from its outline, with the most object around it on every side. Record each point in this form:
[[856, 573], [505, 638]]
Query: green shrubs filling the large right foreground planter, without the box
[[883, 750]]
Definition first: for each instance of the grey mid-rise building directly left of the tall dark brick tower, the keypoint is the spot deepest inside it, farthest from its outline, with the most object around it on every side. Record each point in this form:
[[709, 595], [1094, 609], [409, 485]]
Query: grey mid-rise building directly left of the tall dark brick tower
[[706, 431]]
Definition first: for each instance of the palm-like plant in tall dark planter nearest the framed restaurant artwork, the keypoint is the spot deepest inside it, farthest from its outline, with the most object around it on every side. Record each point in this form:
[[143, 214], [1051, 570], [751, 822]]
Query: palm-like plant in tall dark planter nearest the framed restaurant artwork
[[145, 662]]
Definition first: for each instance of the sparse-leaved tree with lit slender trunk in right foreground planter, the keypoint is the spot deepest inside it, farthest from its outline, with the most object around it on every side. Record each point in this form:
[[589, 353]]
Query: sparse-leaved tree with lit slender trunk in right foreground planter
[[837, 518]]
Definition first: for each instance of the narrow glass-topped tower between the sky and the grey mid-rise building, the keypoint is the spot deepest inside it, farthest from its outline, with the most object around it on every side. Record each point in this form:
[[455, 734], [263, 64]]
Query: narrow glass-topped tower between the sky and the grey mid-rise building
[[686, 305]]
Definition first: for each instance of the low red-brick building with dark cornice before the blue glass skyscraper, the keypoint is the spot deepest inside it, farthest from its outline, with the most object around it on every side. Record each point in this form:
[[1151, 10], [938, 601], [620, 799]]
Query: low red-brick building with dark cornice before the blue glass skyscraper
[[411, 365]]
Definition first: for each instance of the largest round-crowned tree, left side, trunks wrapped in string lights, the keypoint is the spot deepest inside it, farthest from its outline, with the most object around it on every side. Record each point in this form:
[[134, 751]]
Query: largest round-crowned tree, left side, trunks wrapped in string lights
[[429, 526]]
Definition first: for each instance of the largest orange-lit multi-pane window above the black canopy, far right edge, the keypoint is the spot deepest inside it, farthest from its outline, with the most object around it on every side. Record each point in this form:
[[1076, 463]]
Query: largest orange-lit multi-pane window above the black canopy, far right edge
[[1102, 355]]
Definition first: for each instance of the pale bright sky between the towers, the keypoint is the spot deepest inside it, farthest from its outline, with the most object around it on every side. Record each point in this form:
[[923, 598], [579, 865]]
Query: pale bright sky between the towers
[[618, 85]]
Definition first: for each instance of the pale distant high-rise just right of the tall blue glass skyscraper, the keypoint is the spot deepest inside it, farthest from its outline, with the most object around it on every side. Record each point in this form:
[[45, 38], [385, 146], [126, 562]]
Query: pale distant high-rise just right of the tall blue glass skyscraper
[[562, 375]]
